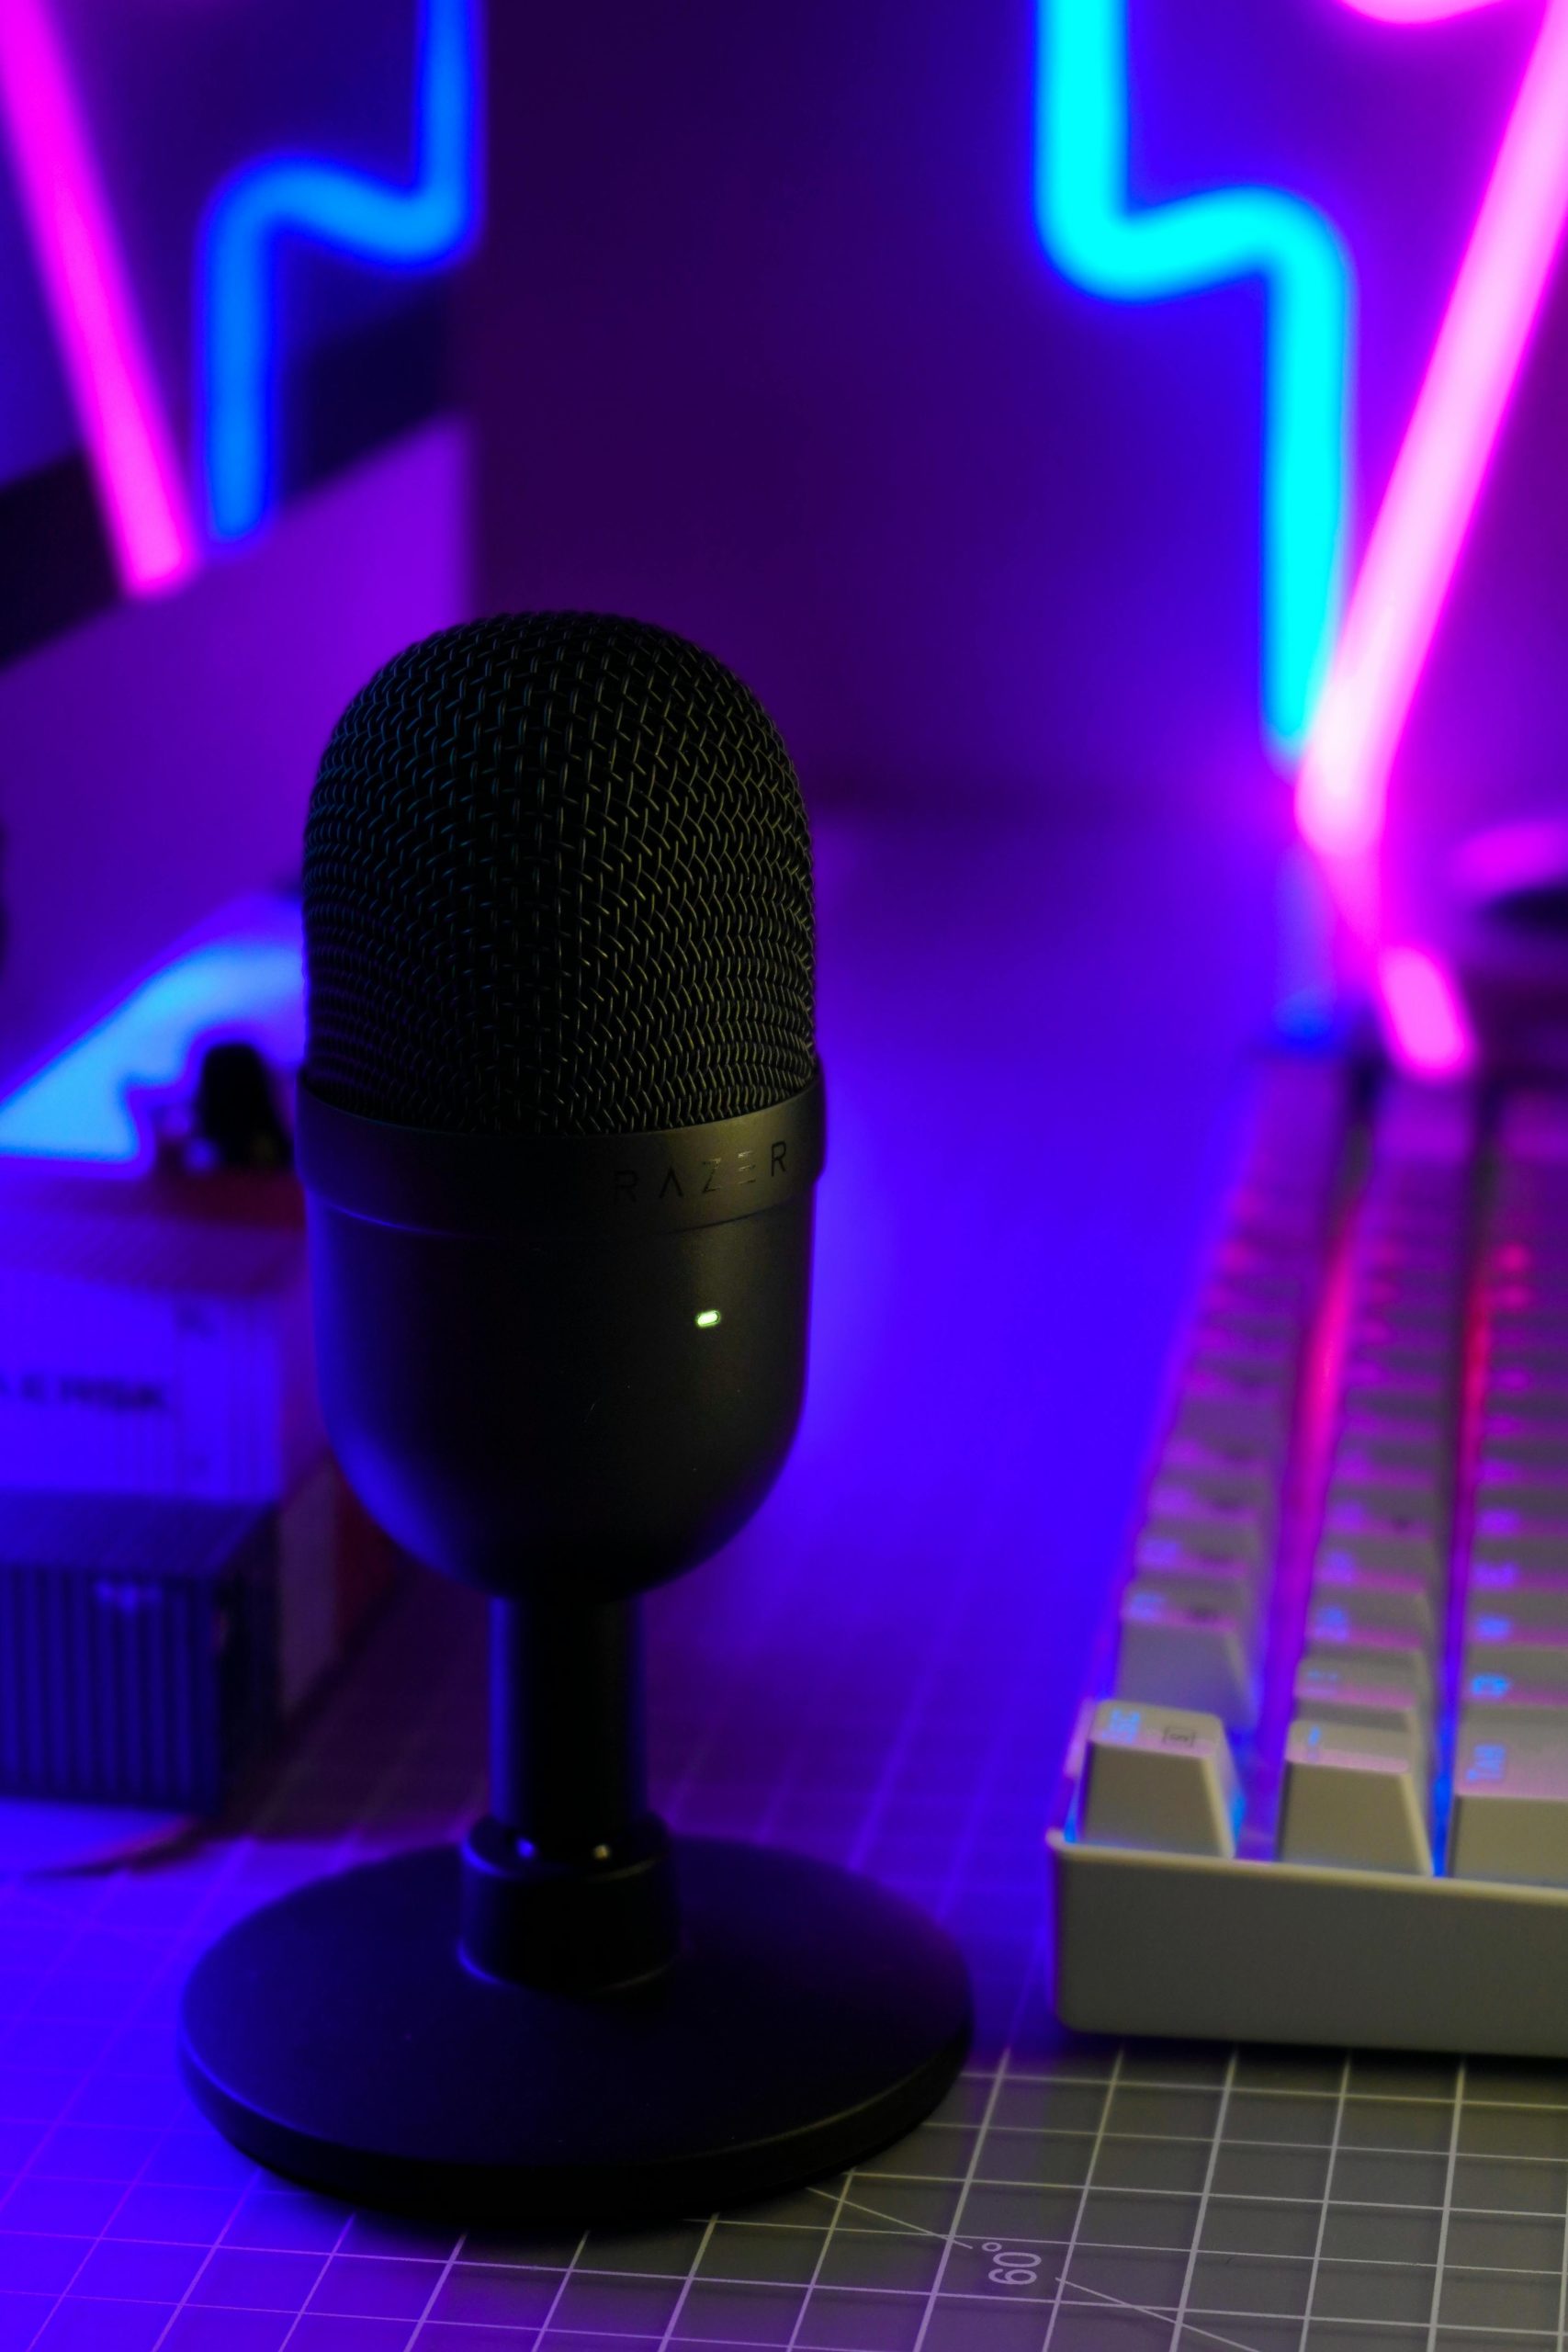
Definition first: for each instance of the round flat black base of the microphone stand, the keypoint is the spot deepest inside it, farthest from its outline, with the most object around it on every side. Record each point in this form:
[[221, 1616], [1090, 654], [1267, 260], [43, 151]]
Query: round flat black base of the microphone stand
[[340, 2038]]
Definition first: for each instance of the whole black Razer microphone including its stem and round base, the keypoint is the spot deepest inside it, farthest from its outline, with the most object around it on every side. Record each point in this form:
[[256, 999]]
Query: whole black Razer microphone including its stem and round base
[[561, 1128]]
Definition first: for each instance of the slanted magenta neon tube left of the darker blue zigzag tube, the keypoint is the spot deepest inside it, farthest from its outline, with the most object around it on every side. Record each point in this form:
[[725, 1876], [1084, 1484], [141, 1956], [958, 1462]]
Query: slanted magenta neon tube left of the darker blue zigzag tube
[[91, 300]]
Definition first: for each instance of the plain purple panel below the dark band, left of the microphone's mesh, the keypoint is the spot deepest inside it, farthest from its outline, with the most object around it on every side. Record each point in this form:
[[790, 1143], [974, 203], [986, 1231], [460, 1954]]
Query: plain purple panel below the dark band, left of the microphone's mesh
[[159, 761]]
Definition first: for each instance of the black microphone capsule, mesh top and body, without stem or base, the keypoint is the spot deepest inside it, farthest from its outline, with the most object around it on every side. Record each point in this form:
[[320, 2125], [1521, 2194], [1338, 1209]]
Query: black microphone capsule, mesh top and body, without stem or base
[[563, 1116]]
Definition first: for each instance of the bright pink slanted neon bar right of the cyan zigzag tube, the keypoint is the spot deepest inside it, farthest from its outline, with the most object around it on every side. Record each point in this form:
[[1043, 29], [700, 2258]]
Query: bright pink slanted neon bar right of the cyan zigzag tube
[[1423, 523]]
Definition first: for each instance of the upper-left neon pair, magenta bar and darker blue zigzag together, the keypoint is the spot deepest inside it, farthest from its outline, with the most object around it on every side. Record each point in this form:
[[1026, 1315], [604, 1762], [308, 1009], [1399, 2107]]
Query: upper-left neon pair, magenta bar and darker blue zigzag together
[[91, 300]]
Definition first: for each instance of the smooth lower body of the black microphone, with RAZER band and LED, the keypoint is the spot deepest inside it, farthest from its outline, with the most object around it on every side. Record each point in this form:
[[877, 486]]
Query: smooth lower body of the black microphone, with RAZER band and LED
[[563, 1363]]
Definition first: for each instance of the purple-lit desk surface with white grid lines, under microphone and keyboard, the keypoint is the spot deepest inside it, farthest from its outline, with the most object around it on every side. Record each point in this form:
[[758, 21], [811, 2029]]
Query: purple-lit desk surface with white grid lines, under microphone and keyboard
[[1033, 1048]]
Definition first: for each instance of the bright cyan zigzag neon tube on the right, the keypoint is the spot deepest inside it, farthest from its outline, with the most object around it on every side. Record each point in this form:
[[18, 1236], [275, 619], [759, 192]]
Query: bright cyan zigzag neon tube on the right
[[1207, 241]]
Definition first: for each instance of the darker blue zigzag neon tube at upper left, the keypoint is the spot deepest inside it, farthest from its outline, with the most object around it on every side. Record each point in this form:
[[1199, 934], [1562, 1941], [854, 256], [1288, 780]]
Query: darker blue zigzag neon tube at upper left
[[401, 227]]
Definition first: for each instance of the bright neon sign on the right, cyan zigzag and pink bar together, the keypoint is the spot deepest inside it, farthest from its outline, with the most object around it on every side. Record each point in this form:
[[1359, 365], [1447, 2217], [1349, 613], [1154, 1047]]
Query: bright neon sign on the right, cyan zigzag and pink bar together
[[1341, 695]]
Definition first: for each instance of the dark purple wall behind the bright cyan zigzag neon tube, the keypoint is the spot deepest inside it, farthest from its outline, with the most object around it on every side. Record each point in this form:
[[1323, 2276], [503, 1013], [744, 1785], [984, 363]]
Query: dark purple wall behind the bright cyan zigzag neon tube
[[765, 347]]
